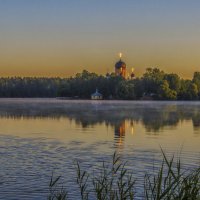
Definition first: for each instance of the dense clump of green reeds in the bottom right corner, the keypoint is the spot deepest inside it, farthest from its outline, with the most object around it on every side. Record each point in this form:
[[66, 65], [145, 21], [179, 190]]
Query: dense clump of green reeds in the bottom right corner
[[172, 183]]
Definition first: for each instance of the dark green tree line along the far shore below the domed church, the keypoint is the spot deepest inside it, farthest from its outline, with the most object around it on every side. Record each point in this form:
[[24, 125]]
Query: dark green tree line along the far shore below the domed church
[[154, 84]]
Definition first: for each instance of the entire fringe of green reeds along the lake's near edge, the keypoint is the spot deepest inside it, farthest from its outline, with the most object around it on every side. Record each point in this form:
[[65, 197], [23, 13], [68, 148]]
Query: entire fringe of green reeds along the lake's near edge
[[114, 182]]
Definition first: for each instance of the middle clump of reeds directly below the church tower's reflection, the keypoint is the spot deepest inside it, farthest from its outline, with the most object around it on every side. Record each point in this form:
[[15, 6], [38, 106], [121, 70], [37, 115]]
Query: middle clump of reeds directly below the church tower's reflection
[[114, 181]]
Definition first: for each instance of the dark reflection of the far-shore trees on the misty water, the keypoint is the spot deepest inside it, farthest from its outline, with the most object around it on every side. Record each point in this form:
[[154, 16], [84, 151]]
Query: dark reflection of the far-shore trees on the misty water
[[154, 116]]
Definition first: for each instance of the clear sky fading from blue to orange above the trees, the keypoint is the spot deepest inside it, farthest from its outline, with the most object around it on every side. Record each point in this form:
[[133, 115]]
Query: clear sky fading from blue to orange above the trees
[[63, 37]]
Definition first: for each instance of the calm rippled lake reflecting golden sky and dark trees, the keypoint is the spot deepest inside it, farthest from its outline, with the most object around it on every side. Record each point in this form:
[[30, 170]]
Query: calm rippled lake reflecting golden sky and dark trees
[[41, 136]]
